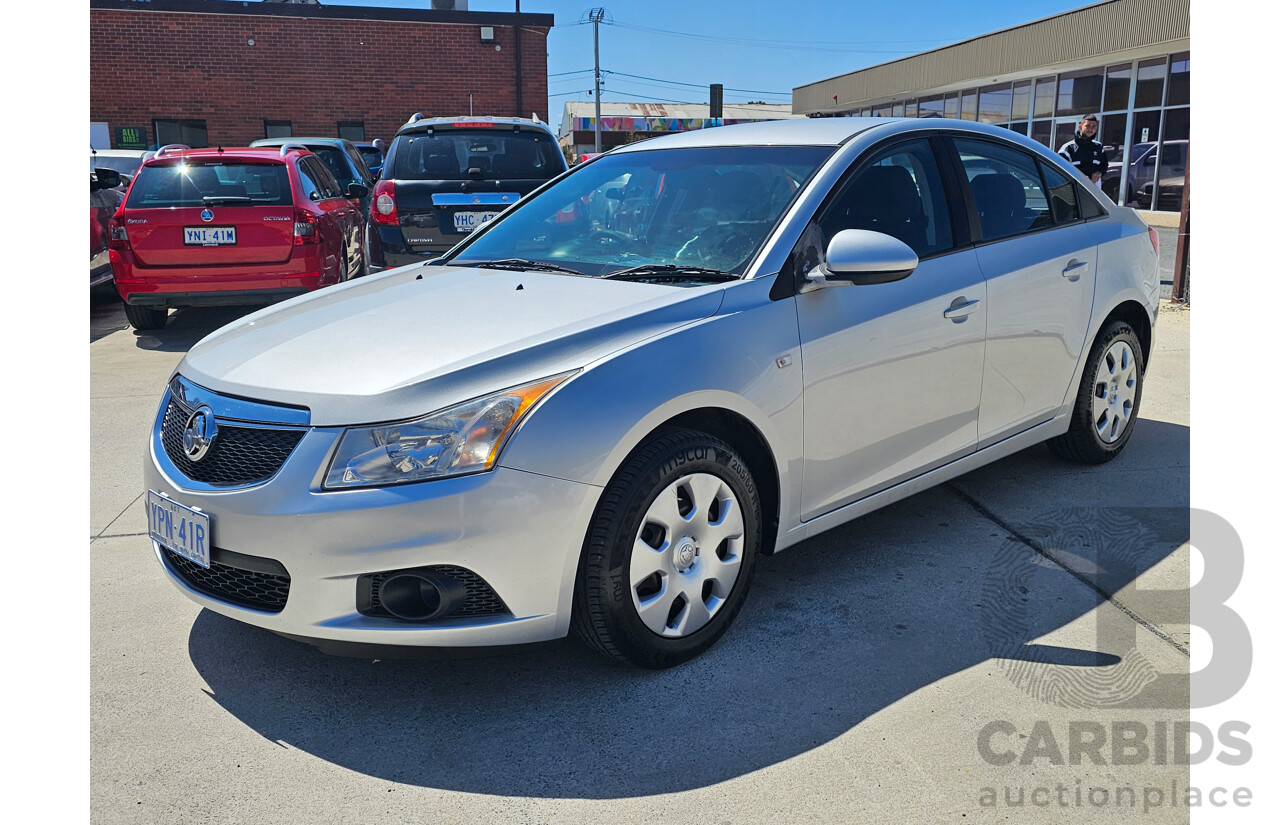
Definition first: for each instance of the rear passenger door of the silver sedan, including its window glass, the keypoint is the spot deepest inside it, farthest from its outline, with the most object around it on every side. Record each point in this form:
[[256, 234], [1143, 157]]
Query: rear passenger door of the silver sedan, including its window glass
[[1039, 258]]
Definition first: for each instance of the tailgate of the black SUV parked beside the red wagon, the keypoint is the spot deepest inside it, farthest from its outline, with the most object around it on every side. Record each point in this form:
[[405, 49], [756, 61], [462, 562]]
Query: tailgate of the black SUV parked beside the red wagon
[[450, 181]]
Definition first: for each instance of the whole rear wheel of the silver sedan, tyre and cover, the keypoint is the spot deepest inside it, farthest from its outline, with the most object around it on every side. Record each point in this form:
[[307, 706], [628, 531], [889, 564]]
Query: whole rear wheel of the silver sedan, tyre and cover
[[1107, 406]]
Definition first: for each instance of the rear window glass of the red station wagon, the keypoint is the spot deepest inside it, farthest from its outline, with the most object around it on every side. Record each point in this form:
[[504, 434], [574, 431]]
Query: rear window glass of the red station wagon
[[188, 184]]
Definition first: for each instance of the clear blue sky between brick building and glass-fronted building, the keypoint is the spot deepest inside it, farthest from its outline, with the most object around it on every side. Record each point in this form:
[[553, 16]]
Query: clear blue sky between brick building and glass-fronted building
[[766, 49]]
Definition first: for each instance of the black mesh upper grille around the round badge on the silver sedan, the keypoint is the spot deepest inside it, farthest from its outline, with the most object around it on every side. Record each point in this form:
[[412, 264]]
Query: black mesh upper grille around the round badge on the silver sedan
[[240, 456]]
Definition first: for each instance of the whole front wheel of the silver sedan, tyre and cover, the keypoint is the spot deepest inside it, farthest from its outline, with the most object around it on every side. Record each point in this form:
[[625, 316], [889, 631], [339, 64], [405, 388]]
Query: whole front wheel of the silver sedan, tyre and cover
[[671, 552]]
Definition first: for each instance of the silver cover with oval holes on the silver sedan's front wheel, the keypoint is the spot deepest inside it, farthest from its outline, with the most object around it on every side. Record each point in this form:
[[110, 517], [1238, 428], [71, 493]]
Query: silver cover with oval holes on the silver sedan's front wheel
[[687, 556]]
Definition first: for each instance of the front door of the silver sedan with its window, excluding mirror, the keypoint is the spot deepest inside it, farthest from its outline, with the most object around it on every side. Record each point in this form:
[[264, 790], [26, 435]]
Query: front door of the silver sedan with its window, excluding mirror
[[893, 373]]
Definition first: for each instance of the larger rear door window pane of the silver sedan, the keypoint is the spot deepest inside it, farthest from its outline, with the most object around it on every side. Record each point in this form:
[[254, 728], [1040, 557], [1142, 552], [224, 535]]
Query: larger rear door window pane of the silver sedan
[[1007, 189]]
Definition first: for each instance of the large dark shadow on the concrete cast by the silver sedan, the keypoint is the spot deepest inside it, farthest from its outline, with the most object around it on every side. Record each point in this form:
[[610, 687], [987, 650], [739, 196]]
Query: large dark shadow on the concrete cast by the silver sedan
[[836, 630]]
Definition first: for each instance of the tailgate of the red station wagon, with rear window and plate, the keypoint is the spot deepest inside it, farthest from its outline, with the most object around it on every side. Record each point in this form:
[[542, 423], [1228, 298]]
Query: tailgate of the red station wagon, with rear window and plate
[[211, 213]]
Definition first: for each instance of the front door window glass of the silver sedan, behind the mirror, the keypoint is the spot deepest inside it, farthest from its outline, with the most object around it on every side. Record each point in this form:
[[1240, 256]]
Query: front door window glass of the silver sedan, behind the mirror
[[898, 192]]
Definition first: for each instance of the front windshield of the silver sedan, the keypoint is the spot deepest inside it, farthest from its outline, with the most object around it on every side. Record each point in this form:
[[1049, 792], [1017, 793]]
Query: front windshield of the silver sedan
[[687, 208]]
